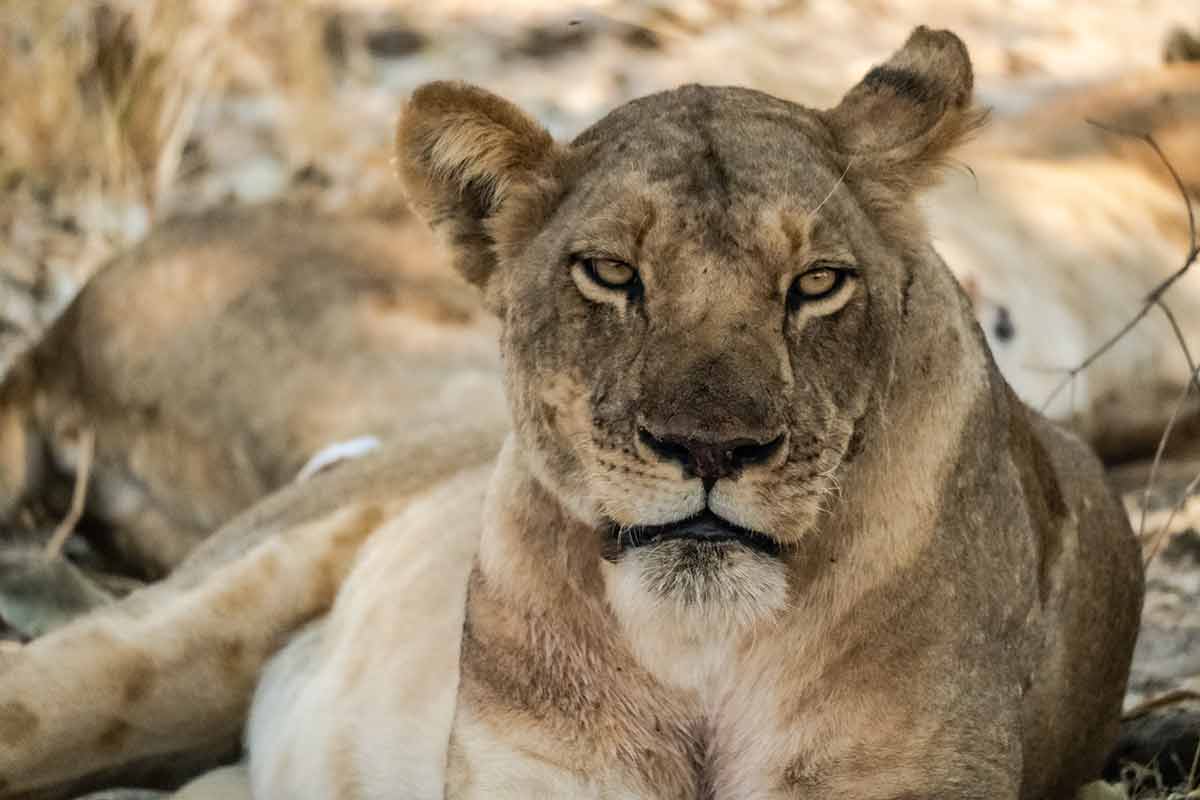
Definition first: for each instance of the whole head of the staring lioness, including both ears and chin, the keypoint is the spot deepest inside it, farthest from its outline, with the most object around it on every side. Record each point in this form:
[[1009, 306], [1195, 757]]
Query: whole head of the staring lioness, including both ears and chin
[[703, 298]]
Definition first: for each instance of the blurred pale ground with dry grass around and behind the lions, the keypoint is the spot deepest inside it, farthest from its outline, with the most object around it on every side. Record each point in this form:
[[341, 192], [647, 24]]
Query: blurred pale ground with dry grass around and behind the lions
[[122, 115]]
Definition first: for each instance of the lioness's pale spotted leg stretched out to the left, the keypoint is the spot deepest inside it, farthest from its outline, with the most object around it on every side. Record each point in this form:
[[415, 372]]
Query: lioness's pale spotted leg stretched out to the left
[[95, 689]]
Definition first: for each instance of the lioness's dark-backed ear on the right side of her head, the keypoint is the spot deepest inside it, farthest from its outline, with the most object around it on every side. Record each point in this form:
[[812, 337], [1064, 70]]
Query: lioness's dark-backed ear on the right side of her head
[[909, 113]]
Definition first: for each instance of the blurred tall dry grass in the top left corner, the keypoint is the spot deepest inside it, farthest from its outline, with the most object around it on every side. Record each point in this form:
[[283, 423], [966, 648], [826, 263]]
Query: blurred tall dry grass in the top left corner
[[101, 104]]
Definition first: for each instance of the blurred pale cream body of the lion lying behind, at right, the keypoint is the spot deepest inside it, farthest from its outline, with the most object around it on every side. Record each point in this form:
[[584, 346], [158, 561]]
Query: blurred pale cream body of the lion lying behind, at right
[[1061, 228]]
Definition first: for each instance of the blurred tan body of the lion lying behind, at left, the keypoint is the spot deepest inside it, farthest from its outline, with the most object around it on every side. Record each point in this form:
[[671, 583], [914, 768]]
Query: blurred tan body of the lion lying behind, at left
[[220, 356]]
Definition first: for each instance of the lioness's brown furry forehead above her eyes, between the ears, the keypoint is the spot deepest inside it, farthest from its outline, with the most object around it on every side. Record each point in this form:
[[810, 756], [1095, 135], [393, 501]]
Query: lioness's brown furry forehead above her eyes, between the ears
[[722, 175]]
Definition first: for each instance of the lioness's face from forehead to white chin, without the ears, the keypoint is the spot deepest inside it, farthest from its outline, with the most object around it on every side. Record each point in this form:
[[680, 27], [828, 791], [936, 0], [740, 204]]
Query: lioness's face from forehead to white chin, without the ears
[[680, 336]]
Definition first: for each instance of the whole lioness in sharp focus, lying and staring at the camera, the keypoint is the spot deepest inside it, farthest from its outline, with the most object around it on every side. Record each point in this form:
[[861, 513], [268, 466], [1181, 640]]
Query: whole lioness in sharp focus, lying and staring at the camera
[[769, 525]]
